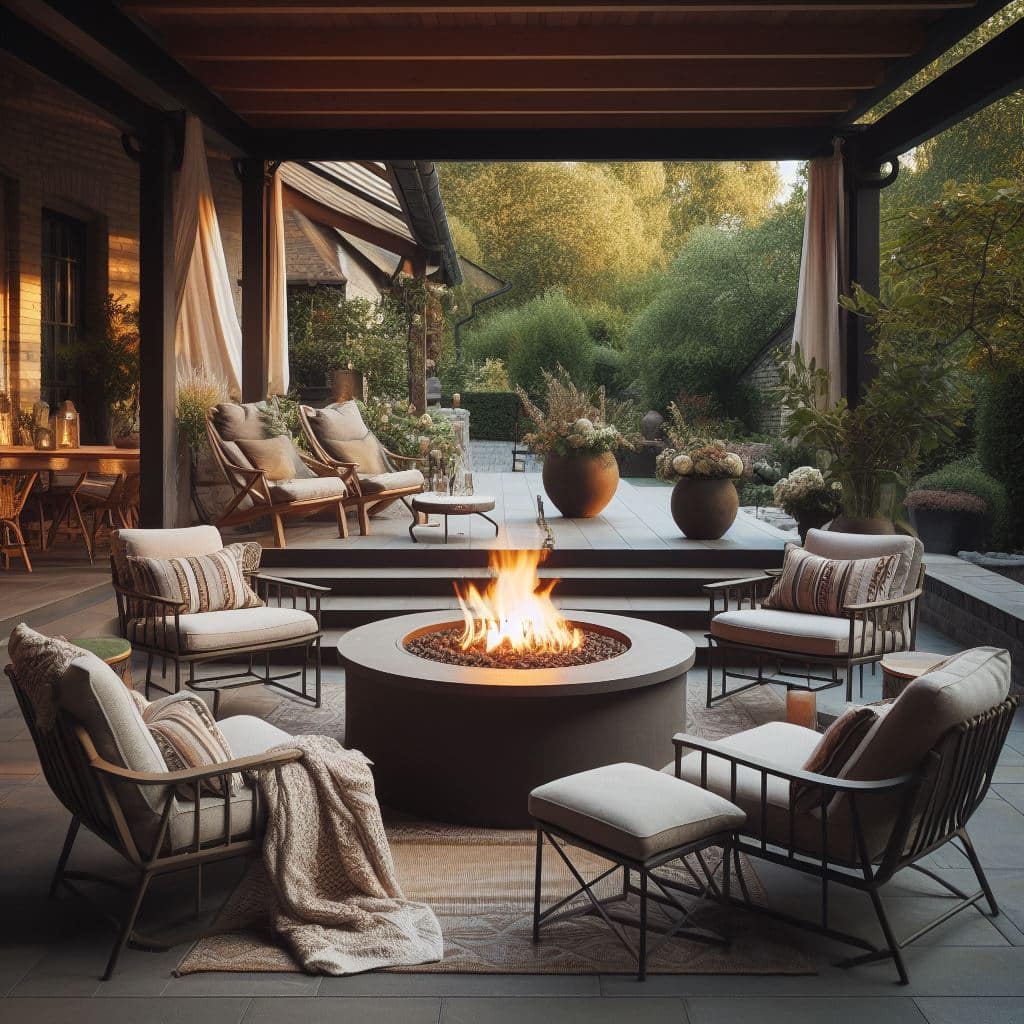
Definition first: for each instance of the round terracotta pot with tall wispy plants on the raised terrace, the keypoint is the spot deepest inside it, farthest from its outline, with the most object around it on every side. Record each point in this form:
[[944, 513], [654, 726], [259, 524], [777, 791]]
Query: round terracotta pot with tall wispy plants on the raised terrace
[[578, 443]]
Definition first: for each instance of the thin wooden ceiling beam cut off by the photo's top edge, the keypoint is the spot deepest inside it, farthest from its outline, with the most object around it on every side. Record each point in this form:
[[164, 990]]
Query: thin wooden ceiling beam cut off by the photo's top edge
[[527, 8]]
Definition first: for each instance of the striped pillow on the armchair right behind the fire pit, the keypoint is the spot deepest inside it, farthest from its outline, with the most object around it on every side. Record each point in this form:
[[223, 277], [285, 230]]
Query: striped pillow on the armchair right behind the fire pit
[[825, 586]]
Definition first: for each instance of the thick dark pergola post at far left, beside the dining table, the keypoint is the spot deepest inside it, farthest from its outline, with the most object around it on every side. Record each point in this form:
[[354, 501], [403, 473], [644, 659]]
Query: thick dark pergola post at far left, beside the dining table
[[158, 426]]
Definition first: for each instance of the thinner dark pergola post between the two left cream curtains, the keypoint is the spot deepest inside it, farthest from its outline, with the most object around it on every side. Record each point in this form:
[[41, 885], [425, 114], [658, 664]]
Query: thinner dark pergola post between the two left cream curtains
[[254, 292]]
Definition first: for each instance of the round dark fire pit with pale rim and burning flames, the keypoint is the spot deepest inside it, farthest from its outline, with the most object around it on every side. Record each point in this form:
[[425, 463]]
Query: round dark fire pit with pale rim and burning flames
[[463, 718]]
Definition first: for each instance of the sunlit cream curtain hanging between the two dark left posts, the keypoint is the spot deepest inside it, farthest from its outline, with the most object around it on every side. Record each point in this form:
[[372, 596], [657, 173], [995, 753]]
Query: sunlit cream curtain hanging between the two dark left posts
[[207, 332]]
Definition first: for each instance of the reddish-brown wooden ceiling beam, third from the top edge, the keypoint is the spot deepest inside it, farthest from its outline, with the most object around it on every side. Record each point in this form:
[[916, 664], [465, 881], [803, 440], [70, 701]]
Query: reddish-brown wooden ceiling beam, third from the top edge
[[357, 76]]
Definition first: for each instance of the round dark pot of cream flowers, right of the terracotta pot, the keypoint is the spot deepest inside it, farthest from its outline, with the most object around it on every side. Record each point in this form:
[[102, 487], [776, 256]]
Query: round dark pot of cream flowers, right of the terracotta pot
[[705, 500]]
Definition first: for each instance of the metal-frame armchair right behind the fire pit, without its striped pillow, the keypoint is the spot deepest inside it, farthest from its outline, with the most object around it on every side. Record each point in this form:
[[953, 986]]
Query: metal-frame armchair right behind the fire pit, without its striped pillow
[[870, 632]]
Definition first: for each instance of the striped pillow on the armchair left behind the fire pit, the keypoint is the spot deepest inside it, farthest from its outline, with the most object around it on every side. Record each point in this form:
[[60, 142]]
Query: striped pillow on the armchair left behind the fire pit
[[201, 583]]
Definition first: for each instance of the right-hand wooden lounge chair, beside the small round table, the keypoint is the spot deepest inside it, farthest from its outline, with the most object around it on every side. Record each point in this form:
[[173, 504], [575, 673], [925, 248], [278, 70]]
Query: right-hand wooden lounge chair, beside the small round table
[[340, 439]]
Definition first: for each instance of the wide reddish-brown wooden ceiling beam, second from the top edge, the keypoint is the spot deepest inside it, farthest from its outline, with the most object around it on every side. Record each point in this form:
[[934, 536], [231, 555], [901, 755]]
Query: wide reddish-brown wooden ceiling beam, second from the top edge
[[197, 44]]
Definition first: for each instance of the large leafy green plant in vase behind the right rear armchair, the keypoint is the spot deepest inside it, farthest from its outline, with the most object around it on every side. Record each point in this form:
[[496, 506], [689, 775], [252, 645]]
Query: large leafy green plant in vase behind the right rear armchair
[[912, 406]]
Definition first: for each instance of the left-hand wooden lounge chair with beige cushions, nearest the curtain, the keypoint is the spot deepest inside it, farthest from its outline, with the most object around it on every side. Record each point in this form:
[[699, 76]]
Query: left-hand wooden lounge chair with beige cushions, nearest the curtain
[[312, 488]]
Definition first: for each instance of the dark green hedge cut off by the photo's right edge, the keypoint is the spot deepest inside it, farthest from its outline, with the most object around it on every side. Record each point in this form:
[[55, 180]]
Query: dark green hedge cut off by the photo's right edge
[[1000, 425]]
